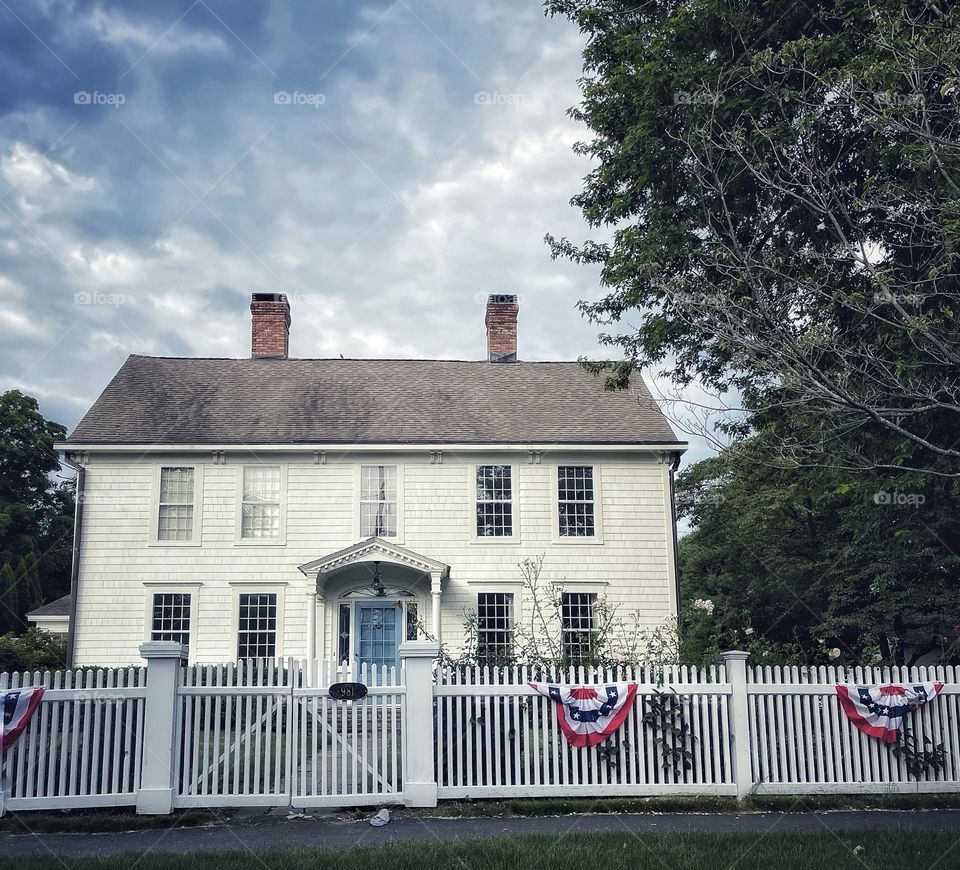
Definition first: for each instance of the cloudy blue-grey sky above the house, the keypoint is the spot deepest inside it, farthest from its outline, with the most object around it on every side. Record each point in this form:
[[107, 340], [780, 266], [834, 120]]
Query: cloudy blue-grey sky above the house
[[385, 164]]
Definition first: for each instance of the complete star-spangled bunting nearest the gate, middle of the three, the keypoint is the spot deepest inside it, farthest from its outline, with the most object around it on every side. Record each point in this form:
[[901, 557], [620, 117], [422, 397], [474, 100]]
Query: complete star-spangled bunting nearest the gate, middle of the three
[[588, 715]]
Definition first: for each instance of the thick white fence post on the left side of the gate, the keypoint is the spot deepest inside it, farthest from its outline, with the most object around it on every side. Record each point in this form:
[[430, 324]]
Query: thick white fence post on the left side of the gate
[[155, 795]]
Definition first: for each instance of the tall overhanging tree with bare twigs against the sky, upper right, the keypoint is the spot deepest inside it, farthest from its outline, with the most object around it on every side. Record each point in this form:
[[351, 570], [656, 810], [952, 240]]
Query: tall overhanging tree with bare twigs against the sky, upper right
[[780, 183]]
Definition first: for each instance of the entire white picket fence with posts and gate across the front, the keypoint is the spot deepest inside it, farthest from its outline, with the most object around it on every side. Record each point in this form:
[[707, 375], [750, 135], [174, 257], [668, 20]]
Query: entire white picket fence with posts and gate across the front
[[268, 733]]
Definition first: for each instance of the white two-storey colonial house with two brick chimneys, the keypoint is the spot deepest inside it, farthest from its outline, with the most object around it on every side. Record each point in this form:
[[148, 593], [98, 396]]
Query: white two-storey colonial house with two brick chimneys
[[323, 508]]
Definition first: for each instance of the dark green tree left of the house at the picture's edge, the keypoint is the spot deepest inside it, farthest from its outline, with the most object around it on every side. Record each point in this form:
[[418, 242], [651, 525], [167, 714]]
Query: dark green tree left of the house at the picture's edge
[[36, 511]]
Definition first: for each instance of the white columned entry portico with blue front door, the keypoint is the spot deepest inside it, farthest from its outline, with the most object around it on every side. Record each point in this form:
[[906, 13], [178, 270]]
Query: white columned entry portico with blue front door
[[372, 595]]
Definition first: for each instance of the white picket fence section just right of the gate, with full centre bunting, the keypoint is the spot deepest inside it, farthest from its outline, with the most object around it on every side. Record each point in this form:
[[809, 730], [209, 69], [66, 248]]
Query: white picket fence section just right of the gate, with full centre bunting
[[497, 737]]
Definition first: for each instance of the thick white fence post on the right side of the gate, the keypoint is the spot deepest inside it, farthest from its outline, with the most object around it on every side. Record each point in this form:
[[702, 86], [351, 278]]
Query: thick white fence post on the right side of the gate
[[419, 776]]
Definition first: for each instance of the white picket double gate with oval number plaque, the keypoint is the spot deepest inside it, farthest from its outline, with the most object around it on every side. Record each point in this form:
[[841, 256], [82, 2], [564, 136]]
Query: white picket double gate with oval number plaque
[[266, 733]]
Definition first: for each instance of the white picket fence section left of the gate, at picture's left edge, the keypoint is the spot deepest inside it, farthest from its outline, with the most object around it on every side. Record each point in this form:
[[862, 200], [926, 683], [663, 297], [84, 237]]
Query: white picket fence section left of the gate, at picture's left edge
[[83, 747]]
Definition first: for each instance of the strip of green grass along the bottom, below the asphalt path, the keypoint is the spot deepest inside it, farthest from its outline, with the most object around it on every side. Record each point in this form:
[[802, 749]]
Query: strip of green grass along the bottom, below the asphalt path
[[820, 851]]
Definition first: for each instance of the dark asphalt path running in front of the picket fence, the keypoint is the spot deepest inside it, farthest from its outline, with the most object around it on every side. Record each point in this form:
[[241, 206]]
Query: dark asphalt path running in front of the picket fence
[[271, 832]]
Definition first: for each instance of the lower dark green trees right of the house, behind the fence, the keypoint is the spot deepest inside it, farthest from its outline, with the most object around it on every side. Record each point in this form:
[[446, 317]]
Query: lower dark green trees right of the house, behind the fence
[[818, 566]]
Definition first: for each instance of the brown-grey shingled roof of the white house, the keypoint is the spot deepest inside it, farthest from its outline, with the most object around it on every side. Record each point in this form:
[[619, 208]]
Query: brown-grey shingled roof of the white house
[[163, 400]]
